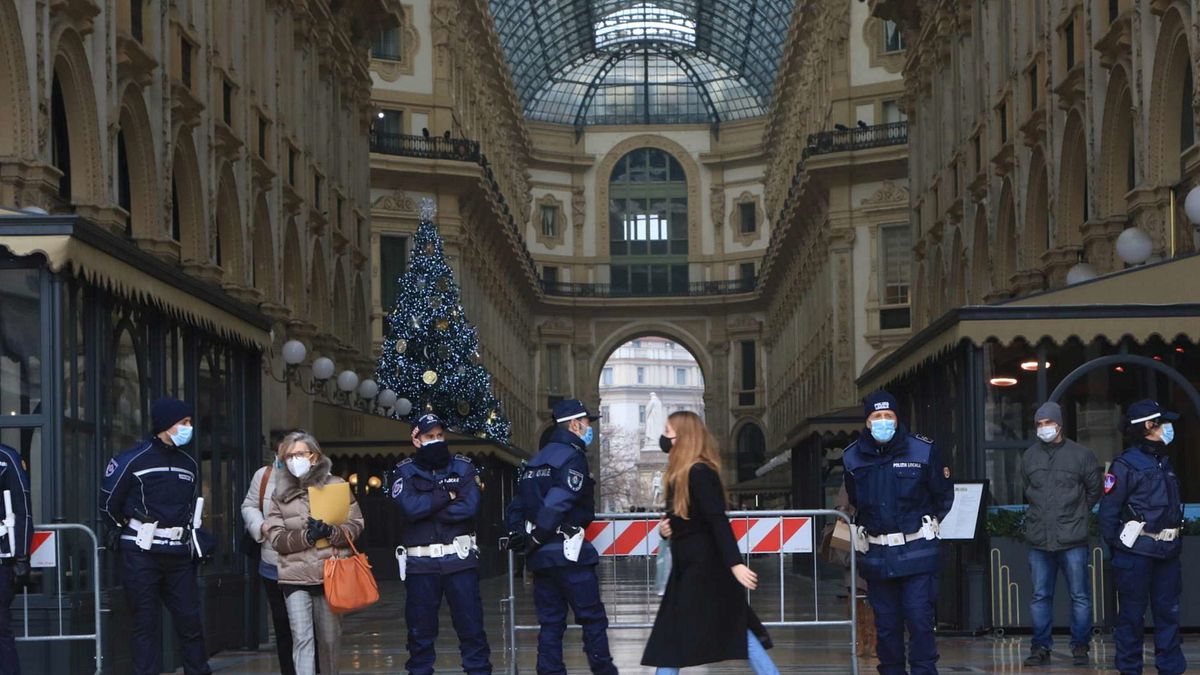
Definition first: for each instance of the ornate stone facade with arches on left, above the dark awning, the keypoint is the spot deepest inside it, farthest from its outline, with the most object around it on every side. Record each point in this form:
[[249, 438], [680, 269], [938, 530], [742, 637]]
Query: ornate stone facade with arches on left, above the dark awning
[[230, 139]]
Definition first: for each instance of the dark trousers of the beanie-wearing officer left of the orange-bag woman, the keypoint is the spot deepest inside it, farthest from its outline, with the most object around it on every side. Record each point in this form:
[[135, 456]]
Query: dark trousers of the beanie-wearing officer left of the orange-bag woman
[[152, 581]]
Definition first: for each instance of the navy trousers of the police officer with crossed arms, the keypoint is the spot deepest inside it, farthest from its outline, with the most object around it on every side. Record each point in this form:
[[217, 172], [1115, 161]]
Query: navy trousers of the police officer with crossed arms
[[423, 601]]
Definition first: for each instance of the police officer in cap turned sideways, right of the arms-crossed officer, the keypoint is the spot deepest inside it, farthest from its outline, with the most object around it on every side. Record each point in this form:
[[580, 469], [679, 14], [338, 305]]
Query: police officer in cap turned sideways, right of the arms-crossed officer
[[553, 507]]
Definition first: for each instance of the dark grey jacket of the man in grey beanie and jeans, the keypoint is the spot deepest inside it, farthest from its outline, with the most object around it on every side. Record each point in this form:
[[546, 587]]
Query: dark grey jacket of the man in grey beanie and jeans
[[1063, 483]]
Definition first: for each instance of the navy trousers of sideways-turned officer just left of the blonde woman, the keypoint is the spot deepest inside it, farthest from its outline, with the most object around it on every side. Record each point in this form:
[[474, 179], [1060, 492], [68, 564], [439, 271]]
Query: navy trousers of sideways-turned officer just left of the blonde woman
[[555, 590]]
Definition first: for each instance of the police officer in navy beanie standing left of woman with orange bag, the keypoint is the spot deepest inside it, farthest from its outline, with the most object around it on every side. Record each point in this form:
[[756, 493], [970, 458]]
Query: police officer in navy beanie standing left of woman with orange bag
[[151, 494]]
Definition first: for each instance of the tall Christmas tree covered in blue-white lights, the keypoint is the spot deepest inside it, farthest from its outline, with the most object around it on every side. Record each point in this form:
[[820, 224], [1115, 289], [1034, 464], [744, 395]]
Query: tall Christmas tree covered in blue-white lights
[[431, 353]]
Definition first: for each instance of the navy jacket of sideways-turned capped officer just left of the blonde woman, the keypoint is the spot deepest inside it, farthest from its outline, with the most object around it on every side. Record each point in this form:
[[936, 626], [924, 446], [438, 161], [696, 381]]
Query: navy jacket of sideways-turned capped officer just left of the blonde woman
[[555, 491]]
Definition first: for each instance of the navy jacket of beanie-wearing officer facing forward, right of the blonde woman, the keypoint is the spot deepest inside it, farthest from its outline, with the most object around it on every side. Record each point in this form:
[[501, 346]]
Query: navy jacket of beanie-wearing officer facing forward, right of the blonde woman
[[893, 487]]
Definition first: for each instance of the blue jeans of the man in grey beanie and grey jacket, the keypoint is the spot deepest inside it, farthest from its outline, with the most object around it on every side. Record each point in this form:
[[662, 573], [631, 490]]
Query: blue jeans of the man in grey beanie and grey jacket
[[1045, 569]]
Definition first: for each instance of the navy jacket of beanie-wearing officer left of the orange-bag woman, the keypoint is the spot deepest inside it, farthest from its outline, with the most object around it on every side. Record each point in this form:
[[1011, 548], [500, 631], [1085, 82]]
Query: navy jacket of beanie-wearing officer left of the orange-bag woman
[[157, 481]]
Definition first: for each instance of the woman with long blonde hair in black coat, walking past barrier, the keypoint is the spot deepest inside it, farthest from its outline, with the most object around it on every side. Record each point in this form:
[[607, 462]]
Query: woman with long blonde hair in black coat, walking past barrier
[[704, 617]]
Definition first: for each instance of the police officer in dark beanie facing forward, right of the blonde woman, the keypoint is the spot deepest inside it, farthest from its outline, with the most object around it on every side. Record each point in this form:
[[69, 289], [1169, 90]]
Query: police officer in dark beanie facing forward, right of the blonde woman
[[901, 489]]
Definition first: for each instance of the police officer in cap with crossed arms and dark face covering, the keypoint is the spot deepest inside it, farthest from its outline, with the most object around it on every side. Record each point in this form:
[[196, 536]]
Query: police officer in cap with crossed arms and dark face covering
[[440, 498]]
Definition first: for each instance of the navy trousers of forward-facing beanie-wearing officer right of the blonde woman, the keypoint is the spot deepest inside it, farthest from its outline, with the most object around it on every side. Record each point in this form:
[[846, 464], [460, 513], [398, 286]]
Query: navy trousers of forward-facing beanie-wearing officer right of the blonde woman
[[901, 602]]
